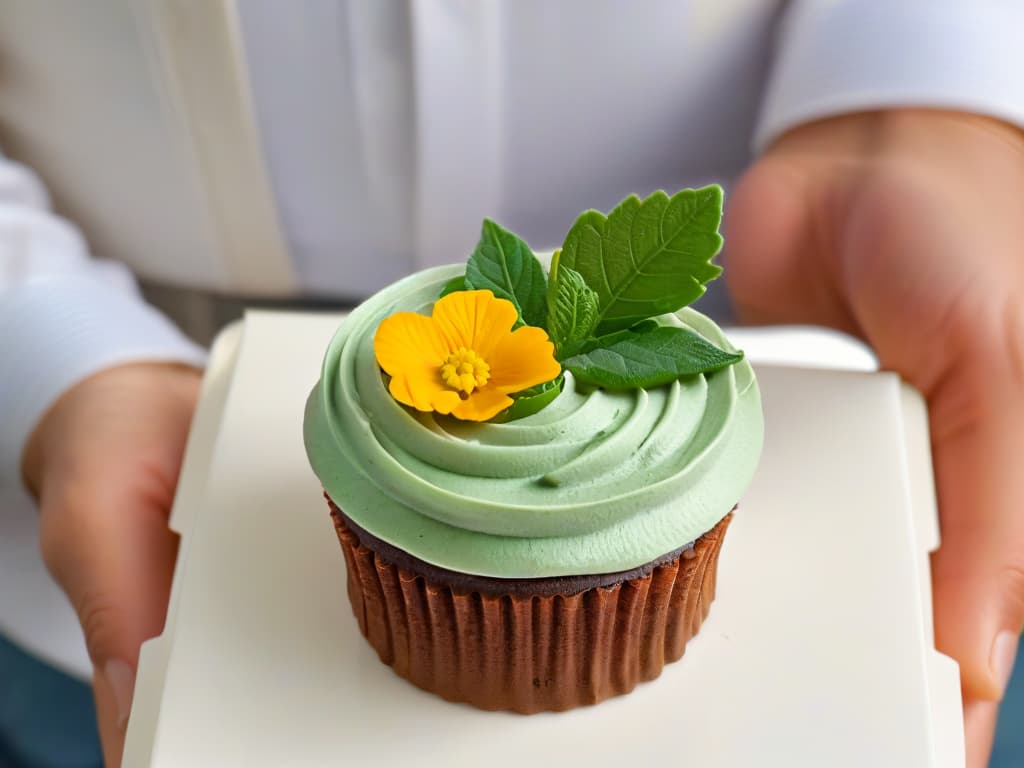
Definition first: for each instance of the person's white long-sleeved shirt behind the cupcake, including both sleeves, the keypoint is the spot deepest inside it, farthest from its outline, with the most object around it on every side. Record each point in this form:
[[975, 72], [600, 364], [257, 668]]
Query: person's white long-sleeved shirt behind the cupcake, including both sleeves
[[327, 148]]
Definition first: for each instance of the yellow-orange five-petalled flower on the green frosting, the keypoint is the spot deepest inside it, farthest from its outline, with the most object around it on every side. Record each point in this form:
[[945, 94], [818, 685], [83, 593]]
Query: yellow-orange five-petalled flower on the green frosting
[[465, 359]]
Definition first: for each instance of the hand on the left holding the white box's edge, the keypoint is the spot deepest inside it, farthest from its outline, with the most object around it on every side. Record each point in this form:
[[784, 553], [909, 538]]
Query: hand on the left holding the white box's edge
[[104, 463]]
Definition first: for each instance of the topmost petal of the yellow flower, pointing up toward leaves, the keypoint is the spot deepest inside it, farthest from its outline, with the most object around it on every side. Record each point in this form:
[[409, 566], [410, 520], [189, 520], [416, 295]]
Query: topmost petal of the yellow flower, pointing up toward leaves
[[476, 320]]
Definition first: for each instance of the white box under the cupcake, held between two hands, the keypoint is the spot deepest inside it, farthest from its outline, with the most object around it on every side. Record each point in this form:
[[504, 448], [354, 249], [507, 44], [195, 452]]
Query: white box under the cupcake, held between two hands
[[819, 651]]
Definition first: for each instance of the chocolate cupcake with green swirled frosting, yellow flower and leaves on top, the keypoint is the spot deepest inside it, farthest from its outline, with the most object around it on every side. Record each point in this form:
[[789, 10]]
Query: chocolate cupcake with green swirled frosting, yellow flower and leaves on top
[[531, 471]]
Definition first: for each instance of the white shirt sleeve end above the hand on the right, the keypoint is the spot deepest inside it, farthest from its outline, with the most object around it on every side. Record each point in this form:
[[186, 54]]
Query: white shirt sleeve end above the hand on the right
[[835, 57]]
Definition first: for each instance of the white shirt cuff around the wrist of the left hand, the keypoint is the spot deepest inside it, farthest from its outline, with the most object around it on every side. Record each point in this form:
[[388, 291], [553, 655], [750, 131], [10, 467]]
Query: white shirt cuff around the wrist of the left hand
[[57, 331]]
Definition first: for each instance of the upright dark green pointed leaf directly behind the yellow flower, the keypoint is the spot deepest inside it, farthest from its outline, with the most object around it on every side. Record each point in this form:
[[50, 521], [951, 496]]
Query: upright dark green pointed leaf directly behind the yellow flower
[[503, 264]]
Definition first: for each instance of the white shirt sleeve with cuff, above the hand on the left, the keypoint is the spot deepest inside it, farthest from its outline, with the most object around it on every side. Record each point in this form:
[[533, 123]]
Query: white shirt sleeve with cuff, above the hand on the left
[[64, 316]]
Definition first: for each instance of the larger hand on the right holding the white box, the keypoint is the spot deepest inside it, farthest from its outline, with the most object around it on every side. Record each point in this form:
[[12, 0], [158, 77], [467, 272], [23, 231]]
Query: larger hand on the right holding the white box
[[907, 229]]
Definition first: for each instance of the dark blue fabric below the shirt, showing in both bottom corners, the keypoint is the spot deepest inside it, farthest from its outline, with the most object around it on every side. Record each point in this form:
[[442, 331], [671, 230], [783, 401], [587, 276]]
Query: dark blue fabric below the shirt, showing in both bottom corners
[[48, 719]]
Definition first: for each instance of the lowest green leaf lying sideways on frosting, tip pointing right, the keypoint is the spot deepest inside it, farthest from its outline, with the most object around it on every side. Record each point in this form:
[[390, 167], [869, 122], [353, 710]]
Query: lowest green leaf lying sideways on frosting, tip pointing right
[[650, 360]]
